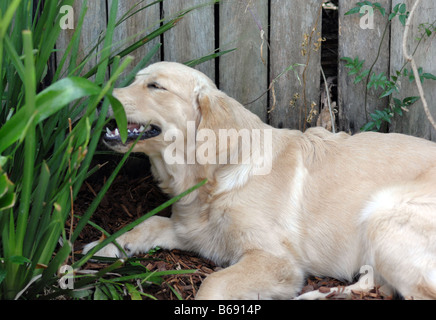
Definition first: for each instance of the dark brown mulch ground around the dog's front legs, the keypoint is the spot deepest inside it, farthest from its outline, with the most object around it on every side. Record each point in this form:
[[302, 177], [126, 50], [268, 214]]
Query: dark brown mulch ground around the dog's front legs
[[134, 193]]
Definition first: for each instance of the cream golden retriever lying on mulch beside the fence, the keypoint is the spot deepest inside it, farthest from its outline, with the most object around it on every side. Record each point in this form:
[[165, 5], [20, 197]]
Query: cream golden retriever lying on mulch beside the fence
[[315, 203]]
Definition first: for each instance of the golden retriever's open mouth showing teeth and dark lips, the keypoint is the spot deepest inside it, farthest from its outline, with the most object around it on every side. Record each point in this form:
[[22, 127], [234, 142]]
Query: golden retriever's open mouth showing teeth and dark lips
[[134, 131]]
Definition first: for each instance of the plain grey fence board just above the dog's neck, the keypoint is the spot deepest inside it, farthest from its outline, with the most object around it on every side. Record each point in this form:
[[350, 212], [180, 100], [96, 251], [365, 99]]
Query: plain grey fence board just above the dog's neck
[[243, 74]]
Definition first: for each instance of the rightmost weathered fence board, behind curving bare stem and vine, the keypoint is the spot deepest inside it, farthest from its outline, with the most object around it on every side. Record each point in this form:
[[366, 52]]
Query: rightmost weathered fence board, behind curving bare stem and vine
[[415, 122]]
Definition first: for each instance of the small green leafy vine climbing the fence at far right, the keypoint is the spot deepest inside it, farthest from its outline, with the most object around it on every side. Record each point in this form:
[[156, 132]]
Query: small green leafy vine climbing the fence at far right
[[389, 84]]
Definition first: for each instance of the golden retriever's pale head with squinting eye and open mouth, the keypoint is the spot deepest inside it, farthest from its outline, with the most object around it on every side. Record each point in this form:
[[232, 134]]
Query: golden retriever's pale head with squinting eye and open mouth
[[164, 96]]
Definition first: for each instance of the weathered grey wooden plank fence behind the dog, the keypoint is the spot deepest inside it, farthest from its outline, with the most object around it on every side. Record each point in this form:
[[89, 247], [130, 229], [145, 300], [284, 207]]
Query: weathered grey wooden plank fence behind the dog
[[281, 46]]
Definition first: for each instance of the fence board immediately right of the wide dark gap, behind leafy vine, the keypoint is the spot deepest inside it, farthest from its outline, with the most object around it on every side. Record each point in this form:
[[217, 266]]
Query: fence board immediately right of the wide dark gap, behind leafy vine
[[363, 43]]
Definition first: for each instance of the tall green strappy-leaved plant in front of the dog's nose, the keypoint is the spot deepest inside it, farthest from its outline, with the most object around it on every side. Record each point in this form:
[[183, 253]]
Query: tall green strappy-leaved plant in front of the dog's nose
[[49, 135]]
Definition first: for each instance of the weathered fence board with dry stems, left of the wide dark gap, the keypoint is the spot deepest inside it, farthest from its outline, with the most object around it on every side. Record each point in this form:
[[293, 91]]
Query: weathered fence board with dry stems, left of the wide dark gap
[[293, 22]]
